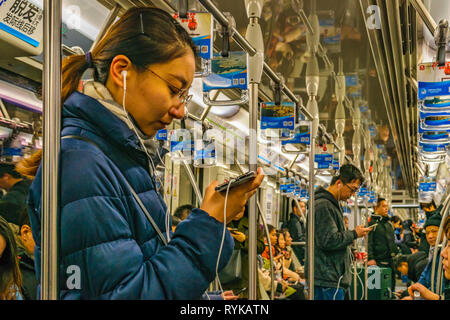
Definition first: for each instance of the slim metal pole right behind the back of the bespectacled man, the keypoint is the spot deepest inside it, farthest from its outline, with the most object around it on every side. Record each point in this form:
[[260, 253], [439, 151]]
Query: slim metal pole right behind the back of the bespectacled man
[[311, 218]]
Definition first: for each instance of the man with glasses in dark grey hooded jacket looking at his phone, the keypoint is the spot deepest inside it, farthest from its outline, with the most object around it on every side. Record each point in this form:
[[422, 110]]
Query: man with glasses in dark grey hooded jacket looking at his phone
[[332, 253]]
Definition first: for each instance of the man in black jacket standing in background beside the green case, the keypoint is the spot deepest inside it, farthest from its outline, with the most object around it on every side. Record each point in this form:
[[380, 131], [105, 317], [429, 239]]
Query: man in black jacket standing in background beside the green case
[[382, 248]]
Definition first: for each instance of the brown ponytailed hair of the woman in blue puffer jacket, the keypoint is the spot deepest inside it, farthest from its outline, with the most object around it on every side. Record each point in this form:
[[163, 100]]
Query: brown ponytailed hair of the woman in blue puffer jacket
[[146, 35]]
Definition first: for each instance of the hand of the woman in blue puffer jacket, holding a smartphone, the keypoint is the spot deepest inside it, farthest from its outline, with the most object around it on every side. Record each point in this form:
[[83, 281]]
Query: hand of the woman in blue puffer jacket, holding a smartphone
[[214, 202]]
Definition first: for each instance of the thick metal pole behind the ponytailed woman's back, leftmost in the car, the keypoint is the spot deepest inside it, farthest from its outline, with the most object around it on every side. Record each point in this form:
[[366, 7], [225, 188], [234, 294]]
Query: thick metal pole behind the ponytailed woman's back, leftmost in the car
[[50, 163]]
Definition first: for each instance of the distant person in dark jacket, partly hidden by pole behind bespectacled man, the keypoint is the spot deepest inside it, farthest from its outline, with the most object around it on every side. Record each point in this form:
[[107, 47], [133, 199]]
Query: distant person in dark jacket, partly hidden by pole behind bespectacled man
[[297, 229]]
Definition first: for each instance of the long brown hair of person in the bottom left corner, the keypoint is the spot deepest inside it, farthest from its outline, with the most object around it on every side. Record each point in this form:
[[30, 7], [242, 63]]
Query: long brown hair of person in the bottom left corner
[[10, 276]]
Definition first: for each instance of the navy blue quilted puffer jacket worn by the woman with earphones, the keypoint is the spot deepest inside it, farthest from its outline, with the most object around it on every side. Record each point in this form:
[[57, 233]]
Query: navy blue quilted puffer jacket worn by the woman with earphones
[[104, 231]]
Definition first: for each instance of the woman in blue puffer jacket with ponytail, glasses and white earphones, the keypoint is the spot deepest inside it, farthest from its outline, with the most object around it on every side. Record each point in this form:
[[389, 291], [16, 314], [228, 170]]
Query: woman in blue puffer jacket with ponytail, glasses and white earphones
[[143, 68]]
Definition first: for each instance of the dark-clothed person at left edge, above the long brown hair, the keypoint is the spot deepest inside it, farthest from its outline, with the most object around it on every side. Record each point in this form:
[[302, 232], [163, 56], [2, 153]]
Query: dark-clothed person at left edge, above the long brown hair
[[13, 203]]
